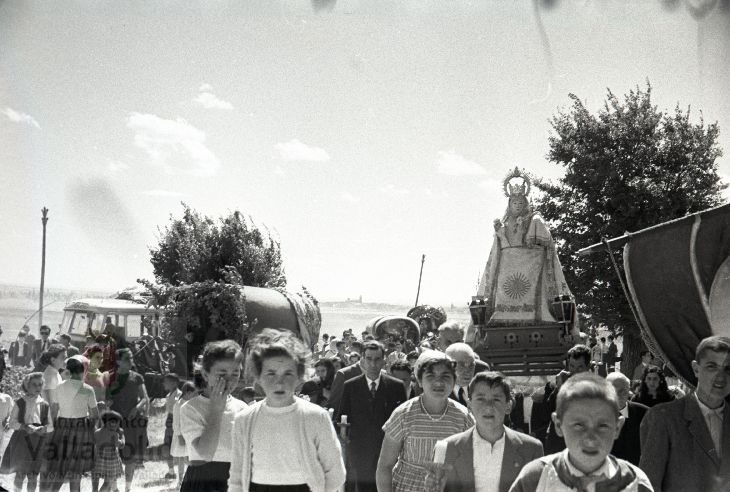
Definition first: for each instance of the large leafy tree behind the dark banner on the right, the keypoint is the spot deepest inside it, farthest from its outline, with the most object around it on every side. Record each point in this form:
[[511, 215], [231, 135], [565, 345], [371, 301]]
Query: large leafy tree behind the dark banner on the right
[[627, 167]]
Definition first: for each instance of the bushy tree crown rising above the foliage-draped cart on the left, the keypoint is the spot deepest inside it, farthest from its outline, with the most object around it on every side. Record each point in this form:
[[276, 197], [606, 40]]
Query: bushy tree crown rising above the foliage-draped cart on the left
[[194, 248]]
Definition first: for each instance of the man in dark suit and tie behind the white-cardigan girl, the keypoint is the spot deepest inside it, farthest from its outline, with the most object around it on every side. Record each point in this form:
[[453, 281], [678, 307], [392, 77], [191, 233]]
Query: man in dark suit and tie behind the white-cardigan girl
[[368, 400]]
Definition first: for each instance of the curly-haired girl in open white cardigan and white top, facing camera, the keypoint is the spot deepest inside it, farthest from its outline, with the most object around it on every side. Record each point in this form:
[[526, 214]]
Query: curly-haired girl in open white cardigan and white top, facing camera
[[283, 443]]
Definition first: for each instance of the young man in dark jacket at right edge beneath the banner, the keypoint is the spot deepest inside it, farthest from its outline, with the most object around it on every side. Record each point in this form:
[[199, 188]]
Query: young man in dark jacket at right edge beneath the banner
[[685, 444]]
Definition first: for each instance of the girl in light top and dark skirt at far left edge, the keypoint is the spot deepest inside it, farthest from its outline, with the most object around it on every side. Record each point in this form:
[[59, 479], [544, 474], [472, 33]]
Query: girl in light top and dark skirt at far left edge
[[31, 423]]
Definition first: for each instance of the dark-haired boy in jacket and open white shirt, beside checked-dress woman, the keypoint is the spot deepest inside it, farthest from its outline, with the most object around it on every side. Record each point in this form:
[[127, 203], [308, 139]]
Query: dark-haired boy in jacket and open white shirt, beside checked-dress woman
[[500, 452]]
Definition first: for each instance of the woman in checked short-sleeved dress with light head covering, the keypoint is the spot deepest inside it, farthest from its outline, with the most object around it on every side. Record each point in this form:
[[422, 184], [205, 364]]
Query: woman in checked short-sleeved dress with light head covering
[[415, 426]]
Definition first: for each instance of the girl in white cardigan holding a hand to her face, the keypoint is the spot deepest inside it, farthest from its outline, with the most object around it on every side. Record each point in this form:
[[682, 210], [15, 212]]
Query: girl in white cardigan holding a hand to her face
[[206, 420]]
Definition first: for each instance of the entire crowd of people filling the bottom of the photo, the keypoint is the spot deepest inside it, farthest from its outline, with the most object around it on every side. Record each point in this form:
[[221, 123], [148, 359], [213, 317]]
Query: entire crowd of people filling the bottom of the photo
[[368, 415]]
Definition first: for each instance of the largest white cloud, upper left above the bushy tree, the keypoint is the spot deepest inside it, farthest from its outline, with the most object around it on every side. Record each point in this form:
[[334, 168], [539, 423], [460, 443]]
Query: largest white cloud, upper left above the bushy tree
[[175, 145]]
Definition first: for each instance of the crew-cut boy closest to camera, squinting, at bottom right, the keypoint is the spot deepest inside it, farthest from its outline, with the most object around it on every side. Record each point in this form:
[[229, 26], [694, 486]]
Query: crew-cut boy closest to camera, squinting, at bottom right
[[587, 416]]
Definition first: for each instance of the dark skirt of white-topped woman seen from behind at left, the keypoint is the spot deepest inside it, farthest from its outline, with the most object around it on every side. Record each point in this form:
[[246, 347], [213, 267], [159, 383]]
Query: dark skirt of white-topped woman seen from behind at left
[[70, 450]]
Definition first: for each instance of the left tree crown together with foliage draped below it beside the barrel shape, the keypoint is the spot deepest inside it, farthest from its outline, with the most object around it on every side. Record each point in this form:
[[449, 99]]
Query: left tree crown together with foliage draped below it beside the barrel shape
[[200, 266]]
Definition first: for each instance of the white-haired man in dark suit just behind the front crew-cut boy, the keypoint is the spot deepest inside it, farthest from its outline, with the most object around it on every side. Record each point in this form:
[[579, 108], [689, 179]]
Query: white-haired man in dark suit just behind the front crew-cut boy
[[627, 445]]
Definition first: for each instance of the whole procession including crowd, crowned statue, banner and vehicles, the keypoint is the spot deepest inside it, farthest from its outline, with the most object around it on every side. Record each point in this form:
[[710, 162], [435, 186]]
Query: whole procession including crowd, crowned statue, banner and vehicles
[[412, 403]]
